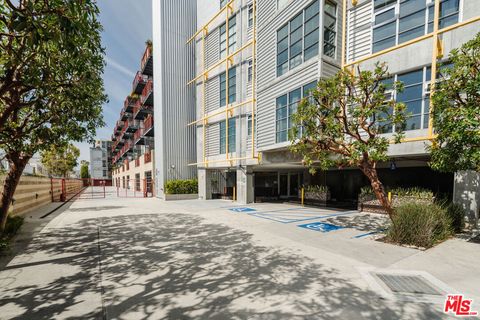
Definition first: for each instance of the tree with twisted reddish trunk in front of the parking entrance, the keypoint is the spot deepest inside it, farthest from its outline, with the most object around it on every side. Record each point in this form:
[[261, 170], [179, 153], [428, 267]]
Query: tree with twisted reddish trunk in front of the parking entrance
[[341, 124]]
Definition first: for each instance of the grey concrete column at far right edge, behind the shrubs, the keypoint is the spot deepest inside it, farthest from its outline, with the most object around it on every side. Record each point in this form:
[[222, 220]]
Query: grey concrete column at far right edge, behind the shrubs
[[466, 192]]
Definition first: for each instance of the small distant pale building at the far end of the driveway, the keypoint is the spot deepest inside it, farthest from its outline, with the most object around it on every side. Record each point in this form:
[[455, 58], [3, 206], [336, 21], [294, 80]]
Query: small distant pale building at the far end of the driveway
[[101, 160]]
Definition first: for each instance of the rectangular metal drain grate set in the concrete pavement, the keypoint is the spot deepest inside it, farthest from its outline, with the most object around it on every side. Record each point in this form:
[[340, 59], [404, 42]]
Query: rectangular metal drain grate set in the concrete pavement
[[409, 284]]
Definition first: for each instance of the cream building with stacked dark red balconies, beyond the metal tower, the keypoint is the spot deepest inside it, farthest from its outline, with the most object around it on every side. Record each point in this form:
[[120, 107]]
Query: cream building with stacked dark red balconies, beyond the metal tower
[[133, 137]]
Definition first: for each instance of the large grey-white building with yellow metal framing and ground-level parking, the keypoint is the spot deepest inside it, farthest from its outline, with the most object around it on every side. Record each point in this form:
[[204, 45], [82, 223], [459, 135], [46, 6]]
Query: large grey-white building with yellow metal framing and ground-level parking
[[256, 59]]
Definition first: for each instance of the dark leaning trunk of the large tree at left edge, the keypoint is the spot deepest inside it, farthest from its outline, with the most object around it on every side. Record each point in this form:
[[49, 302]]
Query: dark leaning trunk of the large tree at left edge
[[17, 165]]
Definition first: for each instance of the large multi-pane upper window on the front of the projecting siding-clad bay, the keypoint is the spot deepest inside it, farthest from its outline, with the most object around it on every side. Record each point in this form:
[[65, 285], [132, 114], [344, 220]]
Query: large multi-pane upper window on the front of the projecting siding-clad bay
[[298, 40]]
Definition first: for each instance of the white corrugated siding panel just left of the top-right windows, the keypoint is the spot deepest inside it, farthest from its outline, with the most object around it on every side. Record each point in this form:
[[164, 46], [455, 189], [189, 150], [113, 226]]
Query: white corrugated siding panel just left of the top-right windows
[[359, 31]]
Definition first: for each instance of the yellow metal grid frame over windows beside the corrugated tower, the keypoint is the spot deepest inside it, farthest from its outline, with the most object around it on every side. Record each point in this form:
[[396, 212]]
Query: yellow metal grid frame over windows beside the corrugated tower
[[226, 11]]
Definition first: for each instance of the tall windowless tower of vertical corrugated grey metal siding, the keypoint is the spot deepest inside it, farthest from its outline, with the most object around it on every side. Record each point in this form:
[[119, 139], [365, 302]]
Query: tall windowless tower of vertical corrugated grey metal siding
[[174, 101]]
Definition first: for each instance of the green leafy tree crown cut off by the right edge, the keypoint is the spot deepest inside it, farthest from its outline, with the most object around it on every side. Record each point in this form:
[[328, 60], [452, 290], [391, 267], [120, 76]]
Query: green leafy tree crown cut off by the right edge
[[456, 111]]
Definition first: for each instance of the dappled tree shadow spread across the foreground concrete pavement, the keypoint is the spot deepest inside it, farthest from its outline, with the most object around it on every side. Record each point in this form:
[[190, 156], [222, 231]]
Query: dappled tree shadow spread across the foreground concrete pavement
[[177, 266]]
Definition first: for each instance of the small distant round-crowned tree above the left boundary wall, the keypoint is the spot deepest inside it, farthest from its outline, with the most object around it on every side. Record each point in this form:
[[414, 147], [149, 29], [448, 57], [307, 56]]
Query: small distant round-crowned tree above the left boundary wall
[[60, 161]]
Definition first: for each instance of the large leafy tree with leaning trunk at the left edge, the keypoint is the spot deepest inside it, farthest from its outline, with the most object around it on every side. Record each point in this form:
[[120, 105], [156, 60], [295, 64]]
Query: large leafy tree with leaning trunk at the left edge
[[51, 90]]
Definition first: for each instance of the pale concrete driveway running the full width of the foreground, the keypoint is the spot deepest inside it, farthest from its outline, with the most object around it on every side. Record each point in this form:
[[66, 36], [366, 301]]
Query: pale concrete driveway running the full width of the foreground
[[147, 259]]
